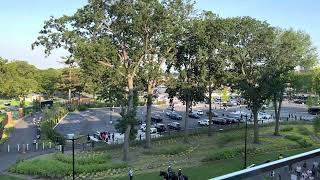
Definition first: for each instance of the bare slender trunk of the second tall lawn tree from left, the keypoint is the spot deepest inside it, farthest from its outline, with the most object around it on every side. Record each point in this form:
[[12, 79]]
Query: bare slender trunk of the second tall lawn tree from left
[[148, 115]]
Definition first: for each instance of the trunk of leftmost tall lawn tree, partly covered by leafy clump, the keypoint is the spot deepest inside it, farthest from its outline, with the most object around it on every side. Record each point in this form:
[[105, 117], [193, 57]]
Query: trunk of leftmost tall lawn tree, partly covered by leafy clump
[[128, 129]]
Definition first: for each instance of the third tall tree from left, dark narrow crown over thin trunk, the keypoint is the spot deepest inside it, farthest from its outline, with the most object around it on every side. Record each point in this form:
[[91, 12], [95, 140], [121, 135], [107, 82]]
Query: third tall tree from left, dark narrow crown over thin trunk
[[189, 86]]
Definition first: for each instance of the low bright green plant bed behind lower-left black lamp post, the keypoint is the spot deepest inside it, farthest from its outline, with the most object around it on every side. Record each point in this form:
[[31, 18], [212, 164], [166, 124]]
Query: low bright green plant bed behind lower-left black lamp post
[[60, 165]]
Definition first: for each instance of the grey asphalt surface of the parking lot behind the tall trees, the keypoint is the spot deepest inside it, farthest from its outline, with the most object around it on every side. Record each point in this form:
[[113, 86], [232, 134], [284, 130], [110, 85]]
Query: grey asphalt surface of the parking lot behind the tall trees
[[90, 121]]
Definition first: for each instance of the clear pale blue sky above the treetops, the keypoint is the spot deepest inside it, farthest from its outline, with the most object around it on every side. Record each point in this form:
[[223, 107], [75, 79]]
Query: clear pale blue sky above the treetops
[[21, 20]]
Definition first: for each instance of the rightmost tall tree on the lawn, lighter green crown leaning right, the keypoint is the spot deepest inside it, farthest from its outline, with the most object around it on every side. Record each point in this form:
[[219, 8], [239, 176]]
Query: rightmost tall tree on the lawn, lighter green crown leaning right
[[290, 49]]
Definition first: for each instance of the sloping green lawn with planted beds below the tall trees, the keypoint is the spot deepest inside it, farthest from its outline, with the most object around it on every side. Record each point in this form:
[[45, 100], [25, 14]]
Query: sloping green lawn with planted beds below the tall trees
[[203, 157]]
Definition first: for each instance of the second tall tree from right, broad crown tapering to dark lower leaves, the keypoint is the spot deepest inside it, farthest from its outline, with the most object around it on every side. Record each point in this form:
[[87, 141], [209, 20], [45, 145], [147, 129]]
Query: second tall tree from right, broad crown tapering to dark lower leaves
[[250, 41]]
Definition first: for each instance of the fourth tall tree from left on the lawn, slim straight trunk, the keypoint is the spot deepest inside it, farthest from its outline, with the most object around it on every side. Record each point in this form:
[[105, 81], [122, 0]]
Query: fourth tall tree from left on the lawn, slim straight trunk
[[212, 51]]
